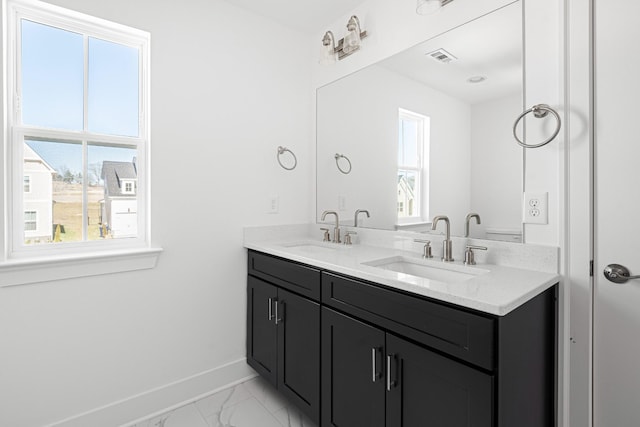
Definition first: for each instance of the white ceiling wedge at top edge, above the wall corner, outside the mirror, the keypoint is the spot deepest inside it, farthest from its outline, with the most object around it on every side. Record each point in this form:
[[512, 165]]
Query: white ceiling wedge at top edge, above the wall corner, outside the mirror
[[307, 16]]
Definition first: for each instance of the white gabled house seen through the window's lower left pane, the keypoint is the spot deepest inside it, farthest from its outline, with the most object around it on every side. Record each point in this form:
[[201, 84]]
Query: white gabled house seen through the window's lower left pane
[[38, 197]]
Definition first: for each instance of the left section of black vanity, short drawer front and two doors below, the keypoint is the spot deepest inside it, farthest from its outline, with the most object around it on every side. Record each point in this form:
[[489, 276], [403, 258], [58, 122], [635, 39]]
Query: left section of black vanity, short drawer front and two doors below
[[283, 331]]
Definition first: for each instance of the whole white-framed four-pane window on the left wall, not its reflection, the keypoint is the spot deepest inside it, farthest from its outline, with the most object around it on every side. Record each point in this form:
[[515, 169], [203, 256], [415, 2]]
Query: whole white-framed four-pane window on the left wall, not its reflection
[[70, 132]]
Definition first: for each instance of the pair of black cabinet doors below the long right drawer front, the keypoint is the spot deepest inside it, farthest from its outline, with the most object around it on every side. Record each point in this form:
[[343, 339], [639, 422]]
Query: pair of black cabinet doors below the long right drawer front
[[373, 378]]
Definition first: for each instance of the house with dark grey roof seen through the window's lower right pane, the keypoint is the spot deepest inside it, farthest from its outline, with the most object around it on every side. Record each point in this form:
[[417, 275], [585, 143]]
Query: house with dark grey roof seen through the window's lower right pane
[[120, 204]]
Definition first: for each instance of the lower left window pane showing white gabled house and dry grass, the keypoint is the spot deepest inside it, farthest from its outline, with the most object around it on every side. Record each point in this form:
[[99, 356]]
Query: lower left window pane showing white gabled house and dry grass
[[56, 191]]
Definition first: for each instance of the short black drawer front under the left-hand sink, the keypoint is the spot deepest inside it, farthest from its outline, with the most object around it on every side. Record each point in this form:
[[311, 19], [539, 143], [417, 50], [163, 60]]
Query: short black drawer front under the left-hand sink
[[298, 278]]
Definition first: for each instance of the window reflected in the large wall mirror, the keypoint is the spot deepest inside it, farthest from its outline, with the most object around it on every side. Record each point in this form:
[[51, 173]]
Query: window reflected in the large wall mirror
[[413, 143]]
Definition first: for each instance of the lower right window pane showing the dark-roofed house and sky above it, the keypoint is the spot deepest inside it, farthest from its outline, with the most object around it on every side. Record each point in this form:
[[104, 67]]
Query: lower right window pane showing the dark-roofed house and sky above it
[[113, 200]]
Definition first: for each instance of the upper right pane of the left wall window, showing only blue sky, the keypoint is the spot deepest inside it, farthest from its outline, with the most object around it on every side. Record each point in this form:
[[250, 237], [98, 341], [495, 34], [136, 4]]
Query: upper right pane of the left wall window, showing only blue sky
[[113, 88]]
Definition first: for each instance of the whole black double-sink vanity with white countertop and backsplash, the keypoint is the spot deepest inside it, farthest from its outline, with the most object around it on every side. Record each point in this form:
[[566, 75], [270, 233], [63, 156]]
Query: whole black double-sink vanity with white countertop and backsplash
[[372, 334]]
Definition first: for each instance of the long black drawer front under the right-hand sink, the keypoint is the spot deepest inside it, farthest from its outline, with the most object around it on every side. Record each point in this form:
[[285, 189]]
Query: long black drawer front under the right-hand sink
[[464, 335]]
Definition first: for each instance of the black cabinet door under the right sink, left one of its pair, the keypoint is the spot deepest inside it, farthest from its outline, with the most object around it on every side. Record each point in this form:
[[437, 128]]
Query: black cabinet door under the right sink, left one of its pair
[[352, 366]]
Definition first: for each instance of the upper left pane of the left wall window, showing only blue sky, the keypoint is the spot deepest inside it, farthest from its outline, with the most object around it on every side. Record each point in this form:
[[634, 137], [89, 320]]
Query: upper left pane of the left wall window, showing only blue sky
[[52, 75]]
